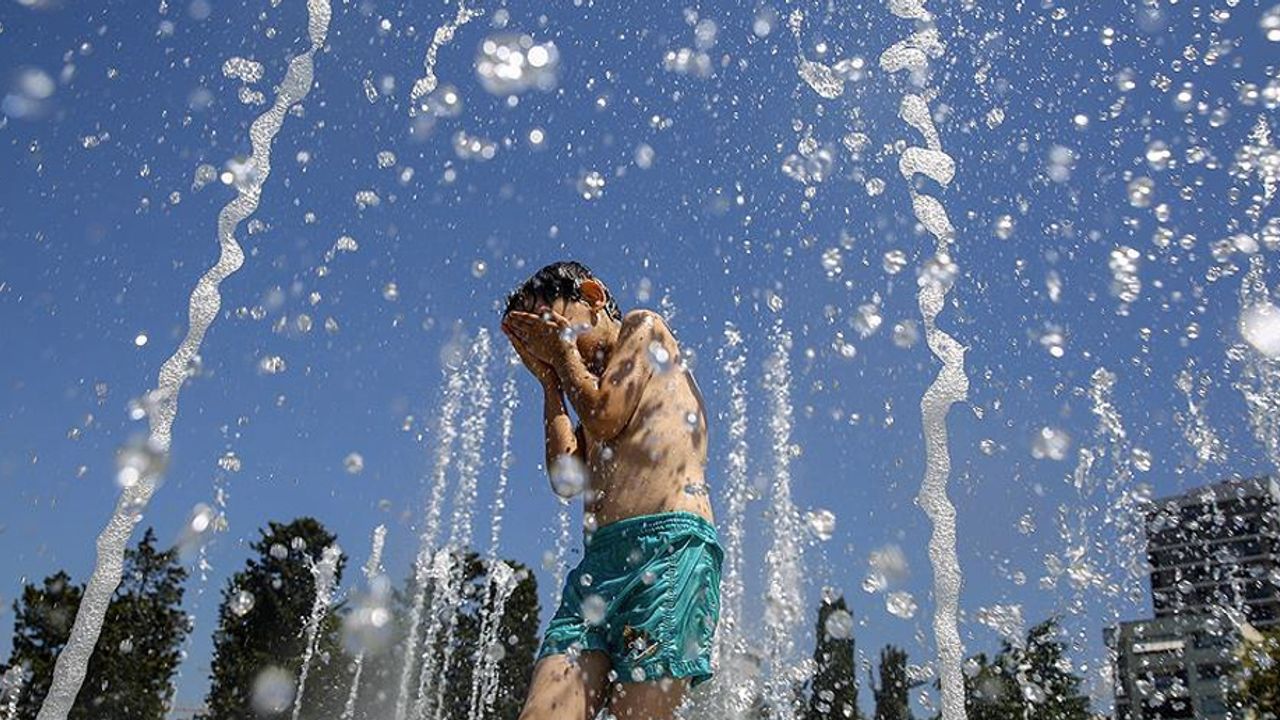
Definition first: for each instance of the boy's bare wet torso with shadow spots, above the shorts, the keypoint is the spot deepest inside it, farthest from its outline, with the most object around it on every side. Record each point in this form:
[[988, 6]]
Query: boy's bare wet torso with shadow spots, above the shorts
[[657, 463]]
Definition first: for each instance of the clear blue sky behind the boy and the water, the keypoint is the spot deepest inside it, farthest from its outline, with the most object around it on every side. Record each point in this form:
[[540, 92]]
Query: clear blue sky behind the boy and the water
[[97, 252]]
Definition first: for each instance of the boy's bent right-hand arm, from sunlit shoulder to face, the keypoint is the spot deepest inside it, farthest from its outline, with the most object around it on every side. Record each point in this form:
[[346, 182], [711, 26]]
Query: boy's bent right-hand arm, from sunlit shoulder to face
[[607, 404]]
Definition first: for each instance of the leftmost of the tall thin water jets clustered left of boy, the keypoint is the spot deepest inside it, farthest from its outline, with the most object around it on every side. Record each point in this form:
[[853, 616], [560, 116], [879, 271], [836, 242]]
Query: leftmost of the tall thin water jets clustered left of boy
[[423, 564]]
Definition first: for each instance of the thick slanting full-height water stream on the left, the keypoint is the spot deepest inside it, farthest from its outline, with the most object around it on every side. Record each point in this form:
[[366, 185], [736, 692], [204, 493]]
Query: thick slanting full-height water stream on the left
[[163, 402]]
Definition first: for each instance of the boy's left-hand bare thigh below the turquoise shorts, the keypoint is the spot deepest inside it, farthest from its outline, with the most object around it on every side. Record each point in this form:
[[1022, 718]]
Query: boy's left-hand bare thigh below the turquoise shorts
[[568, 690]]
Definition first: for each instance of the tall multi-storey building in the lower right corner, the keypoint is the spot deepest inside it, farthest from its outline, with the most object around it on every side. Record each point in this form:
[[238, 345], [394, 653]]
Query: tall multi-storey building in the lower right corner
[[1215, 573]]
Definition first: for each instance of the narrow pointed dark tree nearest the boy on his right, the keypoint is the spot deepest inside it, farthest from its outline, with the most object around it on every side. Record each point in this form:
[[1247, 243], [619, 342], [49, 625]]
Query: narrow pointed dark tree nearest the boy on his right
[[834, 689]]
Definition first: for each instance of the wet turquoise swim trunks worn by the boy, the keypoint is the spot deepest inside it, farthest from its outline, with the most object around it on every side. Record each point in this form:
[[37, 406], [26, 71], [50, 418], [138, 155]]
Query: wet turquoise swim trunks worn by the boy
[[647, 594]]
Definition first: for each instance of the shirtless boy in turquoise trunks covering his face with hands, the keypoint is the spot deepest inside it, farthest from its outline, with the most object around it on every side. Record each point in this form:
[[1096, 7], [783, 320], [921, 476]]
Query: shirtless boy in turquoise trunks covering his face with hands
[[638, 614]]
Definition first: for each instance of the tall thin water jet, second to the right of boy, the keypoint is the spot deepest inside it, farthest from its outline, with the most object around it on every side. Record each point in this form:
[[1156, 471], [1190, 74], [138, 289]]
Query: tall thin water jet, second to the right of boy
[[784, 562]]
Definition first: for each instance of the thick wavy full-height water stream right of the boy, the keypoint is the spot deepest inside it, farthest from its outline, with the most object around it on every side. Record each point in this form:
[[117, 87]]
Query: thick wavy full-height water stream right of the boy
[[952, 385]]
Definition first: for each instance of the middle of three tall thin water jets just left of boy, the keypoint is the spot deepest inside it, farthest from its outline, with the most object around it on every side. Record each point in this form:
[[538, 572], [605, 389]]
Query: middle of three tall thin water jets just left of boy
[[470, 464]]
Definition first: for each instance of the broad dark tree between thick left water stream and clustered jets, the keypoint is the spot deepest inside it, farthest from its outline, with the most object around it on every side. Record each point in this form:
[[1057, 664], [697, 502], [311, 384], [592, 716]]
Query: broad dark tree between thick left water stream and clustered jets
[[262, 627]]
